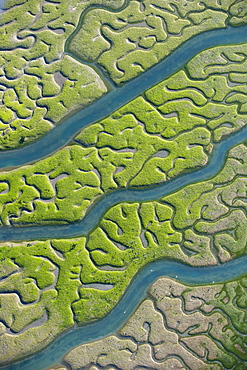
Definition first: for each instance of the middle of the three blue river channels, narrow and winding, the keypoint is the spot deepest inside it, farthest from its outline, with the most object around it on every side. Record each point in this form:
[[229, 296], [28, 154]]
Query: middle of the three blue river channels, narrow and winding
[[94, 215]]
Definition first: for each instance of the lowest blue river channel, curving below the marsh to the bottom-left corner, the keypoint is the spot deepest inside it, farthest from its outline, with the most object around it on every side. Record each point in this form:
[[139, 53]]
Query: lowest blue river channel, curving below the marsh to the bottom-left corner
[[134, 295]]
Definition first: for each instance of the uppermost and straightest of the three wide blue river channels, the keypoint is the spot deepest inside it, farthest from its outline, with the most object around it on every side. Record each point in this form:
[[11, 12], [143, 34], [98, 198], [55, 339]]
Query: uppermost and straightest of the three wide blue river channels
[[104, 106]]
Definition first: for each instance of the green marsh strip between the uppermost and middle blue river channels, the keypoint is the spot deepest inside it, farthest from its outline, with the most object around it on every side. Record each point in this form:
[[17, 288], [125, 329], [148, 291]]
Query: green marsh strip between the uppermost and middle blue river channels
[[168, 130]]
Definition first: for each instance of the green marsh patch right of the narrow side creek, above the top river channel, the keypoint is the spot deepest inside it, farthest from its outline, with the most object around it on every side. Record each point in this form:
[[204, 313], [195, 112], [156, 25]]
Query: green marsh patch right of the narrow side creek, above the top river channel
[[126, 43]]
